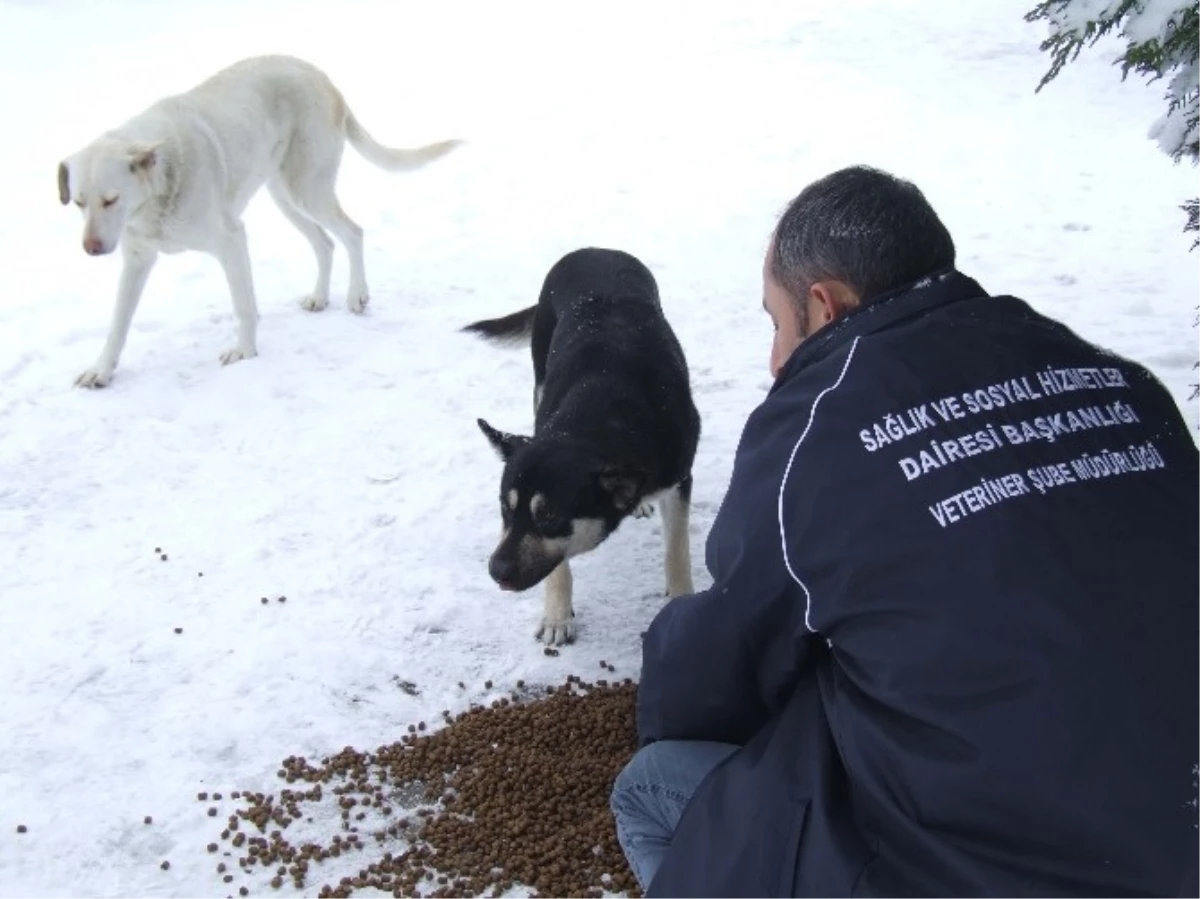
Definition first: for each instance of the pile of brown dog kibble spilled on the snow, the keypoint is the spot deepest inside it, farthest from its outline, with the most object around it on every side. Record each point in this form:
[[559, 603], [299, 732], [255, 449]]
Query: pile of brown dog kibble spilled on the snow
[[512, 794]]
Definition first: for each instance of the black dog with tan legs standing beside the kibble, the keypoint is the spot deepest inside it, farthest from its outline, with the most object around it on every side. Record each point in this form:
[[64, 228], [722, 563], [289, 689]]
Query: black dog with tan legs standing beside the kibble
[[615, 425]]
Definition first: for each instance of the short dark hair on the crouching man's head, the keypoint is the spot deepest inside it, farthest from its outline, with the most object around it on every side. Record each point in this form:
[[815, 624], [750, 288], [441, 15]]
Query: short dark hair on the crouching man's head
[[863, 227]]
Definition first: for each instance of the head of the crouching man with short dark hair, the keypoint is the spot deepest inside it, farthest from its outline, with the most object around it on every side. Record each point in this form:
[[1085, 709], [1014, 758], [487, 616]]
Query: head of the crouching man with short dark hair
[[843, 242]]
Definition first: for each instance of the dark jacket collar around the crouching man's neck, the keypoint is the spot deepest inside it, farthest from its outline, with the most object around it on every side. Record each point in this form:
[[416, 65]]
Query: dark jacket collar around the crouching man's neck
[[931, 292]]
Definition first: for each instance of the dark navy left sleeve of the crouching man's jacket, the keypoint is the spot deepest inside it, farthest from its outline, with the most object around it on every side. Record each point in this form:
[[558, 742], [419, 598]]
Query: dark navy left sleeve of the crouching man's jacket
[[719, 664]]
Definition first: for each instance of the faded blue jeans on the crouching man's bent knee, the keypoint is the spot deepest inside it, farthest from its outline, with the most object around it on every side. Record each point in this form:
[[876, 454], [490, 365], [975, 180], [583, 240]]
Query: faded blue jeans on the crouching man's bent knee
[[651, 795]]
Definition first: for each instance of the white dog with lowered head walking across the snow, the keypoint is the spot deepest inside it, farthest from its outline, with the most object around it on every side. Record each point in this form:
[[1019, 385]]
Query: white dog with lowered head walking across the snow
[[181, 175]]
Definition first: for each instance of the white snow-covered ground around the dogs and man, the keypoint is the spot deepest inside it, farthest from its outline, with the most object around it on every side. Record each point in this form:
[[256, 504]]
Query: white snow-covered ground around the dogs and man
[[343, 469]]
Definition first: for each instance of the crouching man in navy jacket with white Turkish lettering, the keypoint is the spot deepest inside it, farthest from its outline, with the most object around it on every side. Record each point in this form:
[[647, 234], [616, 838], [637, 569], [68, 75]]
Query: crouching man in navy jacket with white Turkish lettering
[[952, 649]]
